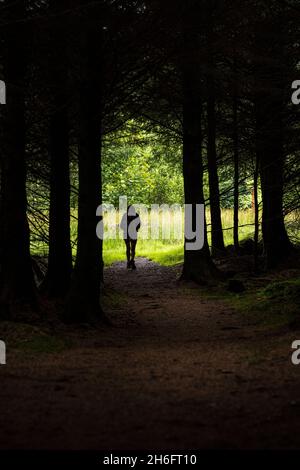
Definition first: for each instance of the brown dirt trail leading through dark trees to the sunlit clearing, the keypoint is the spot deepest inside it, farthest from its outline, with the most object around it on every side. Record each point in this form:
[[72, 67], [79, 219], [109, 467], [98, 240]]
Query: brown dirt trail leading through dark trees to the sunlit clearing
[[177, 371]]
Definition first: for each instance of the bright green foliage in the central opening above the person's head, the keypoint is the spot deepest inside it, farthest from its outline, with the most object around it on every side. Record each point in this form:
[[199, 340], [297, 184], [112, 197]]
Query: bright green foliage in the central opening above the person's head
[[144, 172]]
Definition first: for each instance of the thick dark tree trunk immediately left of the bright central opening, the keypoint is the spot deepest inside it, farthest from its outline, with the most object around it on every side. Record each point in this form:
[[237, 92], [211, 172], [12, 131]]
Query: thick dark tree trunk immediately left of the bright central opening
[[83, 302]]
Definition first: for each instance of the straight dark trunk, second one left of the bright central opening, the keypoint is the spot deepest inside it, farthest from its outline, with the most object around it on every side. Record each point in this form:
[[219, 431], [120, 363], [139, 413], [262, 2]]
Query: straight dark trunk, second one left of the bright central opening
[[58, 276]]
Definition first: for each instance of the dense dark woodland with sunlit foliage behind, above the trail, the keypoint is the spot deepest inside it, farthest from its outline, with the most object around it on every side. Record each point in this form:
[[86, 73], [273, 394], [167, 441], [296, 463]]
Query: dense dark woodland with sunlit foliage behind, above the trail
[[175, 101]]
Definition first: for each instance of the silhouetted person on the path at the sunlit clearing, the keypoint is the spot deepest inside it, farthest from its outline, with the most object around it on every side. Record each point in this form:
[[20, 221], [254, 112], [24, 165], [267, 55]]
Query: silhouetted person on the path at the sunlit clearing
[[130, 224]]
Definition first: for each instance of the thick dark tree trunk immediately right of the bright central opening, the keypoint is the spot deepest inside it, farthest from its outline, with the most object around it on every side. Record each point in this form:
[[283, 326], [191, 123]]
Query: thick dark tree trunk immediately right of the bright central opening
[[198, 265]]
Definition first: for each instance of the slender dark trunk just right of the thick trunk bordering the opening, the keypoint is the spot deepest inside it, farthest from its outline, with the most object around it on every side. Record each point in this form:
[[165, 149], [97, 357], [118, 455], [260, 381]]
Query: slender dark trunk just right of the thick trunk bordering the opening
[[217, 239]]
